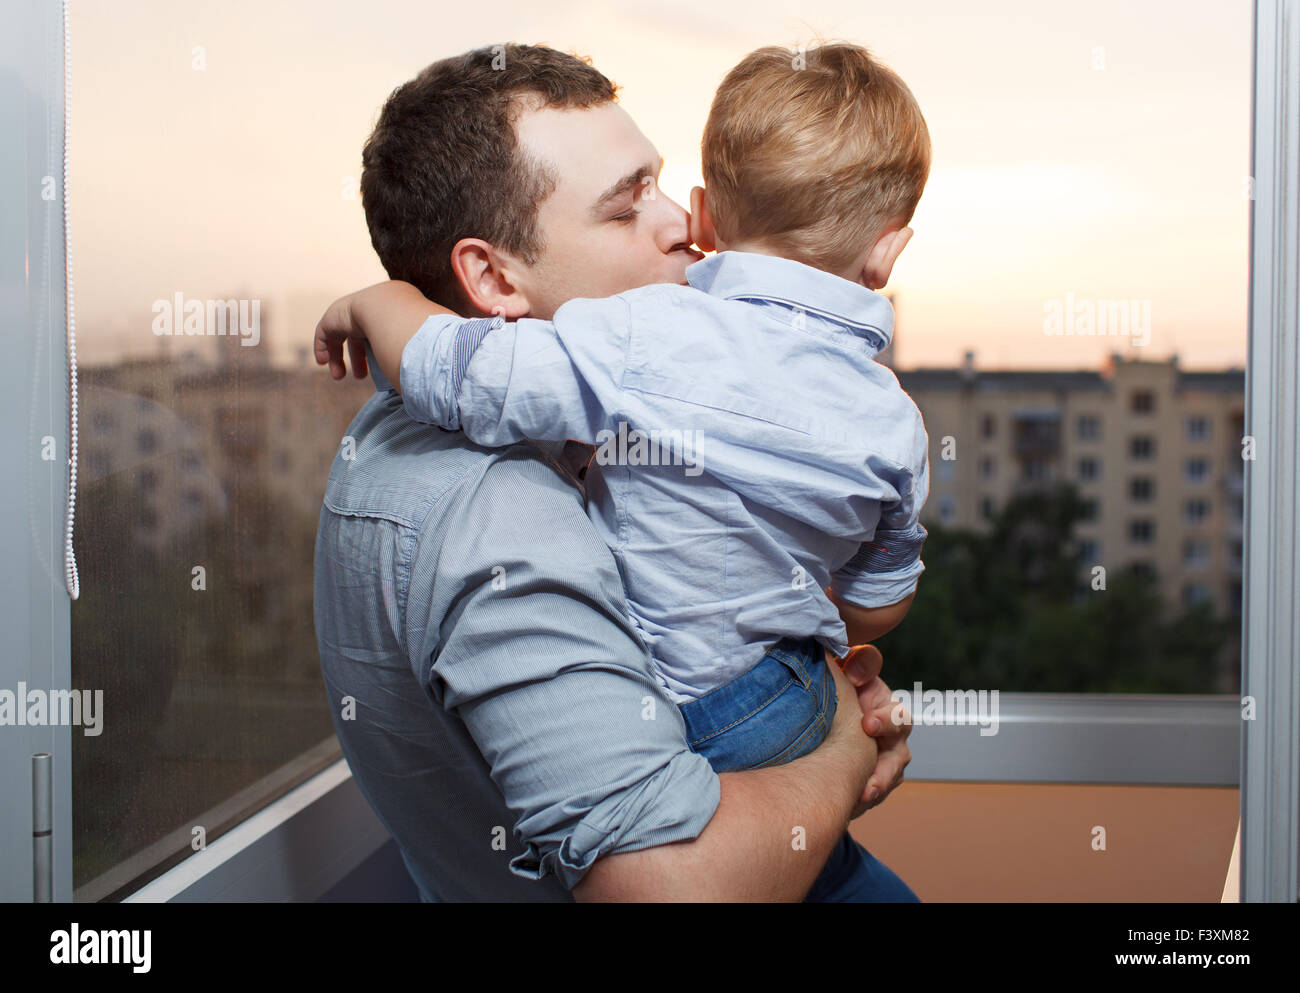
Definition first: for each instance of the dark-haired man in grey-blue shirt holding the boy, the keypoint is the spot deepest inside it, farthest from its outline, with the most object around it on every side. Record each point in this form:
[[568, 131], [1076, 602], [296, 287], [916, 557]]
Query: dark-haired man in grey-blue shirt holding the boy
[[488, 688]]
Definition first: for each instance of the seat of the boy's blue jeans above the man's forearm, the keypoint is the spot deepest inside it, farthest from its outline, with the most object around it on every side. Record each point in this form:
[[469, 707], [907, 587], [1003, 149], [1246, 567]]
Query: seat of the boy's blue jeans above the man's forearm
[[770, 716]]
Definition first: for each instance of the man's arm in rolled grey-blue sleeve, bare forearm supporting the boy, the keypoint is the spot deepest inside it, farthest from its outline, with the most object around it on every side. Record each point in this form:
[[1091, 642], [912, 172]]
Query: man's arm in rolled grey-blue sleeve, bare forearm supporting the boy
[[528, 643]]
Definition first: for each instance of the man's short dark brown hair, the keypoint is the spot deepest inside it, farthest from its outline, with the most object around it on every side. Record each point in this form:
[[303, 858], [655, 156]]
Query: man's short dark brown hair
[[444, 164]]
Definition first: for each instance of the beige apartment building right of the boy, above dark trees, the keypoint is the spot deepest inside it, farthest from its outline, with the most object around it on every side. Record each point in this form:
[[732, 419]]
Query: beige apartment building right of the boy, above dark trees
[[1156, 453]]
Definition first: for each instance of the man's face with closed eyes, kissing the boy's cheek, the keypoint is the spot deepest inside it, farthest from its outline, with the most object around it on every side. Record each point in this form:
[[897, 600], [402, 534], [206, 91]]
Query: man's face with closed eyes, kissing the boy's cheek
[[608, 227]]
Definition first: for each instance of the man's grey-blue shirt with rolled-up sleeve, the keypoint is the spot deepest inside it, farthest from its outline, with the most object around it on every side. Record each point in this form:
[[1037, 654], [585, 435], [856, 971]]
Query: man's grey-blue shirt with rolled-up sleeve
[[495, 704]]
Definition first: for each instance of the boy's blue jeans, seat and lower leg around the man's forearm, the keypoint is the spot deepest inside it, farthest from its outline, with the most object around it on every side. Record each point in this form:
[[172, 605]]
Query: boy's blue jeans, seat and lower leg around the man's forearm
[[773, 714]]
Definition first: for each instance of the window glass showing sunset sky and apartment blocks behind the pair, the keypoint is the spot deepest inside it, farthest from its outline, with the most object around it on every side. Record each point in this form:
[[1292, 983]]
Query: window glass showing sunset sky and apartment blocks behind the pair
[[1071, 320]]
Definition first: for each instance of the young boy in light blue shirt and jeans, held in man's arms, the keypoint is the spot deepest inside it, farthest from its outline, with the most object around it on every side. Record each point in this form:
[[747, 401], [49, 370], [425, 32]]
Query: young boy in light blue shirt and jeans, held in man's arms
[[759, 475]]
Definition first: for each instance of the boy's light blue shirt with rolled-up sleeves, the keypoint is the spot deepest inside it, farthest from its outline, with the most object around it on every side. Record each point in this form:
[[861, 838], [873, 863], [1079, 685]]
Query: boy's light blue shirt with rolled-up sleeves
[[751, 452]]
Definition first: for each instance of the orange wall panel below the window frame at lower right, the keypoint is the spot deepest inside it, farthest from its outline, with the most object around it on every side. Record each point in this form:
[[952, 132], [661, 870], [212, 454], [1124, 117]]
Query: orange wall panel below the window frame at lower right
[[995, 842]]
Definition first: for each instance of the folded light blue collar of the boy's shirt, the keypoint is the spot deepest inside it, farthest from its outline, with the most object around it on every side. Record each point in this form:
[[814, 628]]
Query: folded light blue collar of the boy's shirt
[[748, 276]]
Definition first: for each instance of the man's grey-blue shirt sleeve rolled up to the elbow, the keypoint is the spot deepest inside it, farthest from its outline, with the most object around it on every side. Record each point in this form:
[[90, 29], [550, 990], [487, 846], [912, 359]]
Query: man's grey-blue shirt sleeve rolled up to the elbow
[[517, 623]]
